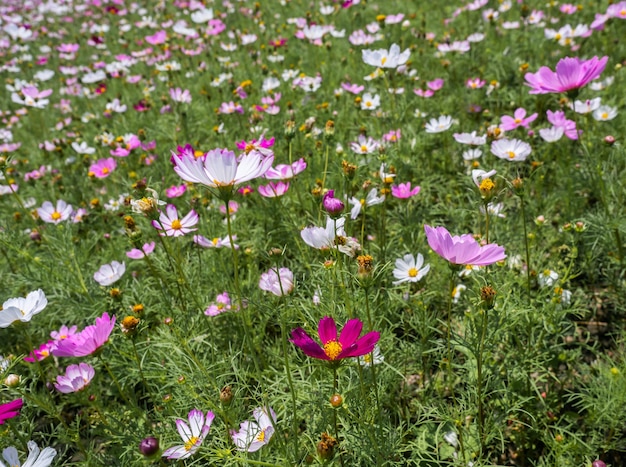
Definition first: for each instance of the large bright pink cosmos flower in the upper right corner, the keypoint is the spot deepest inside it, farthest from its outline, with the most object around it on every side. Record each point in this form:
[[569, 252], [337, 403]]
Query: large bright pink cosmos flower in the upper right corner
[[570, 73]]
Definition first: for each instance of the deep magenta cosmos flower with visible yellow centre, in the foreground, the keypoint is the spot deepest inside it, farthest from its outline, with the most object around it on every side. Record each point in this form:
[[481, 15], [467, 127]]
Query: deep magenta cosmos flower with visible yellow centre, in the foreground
[[349, 344]]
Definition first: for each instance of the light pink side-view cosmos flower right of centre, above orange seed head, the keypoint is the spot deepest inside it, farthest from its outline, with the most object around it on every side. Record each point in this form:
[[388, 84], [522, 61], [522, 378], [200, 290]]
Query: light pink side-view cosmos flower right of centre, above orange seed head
[[462, 249]]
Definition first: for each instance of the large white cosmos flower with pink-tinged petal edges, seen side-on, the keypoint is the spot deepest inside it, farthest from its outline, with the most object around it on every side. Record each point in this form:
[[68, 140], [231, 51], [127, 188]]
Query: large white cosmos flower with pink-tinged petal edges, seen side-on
[[220, 168]]
